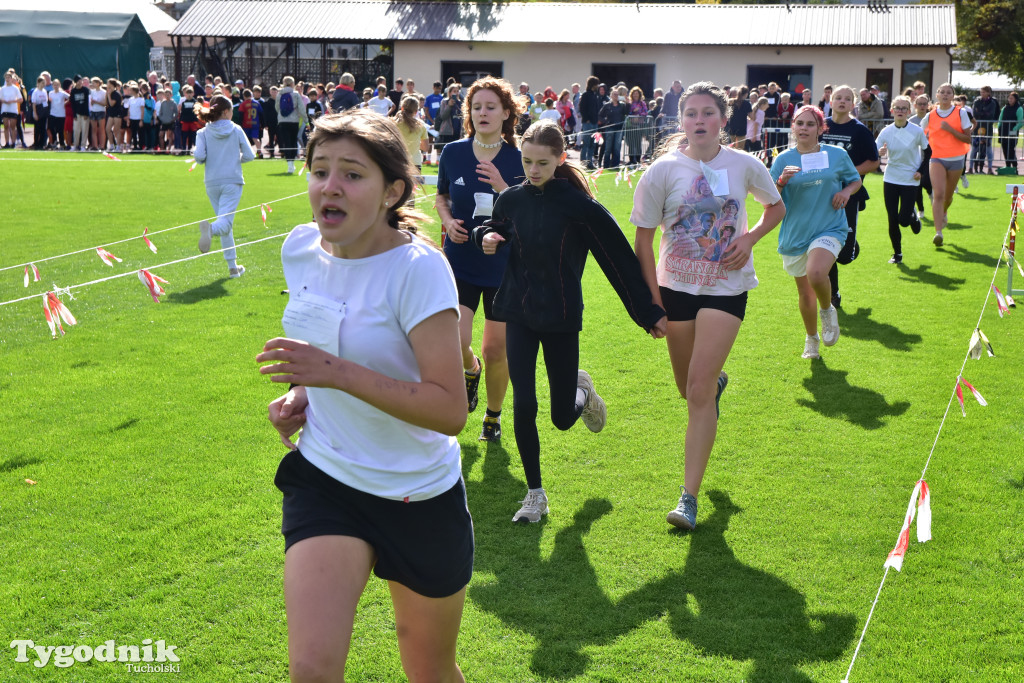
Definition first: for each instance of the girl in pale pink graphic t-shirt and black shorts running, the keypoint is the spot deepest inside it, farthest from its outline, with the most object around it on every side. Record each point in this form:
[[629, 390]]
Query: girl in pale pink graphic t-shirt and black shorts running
[[698, 196]]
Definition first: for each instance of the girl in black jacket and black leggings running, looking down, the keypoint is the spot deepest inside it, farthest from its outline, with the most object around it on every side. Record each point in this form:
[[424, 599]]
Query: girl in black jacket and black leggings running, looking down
[[549, 225]]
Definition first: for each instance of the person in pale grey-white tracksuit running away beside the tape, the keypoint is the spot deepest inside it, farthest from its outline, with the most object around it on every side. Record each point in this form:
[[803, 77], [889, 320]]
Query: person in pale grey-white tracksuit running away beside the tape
[[223, 147]]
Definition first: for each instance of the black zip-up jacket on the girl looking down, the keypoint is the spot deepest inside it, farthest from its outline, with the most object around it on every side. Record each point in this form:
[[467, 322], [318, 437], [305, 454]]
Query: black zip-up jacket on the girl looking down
[[549, 232]]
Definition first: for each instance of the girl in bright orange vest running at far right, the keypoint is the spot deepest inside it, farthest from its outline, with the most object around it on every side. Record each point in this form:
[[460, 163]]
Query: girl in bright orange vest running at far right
[[949, 131]]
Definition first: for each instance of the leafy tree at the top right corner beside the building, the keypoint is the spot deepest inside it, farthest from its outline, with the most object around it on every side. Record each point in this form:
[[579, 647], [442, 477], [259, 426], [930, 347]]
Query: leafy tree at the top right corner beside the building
[[993, 31]]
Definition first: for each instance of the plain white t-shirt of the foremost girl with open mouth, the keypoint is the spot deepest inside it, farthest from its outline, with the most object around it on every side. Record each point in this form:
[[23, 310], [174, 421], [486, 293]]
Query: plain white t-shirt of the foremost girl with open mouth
[[363, 311]]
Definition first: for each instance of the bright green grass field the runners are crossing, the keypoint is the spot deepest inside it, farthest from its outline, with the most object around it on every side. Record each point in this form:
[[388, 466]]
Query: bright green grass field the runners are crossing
[[155, 515]]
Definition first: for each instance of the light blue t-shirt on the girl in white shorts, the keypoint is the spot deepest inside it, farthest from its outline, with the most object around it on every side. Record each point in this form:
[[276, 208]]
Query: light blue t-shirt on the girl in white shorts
[[808, 195]]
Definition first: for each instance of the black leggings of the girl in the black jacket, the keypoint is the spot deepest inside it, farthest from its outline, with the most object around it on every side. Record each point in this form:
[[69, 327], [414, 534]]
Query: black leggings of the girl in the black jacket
[[562, 358]]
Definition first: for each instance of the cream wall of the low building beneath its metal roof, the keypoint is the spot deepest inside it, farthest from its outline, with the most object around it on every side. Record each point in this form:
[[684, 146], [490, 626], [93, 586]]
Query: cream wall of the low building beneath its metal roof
[[561, 65]]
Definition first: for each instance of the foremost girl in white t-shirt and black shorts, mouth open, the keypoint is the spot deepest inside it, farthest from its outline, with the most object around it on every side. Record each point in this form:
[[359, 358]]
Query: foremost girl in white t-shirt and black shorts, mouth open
[[373, 355]]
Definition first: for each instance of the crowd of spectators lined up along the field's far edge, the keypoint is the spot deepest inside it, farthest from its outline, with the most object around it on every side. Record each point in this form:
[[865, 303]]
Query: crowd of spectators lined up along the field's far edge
[[608, 124]]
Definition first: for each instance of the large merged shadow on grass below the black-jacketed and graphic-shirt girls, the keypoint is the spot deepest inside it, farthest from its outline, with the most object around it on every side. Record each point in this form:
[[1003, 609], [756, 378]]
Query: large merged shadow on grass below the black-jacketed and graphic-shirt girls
[[716, 603]]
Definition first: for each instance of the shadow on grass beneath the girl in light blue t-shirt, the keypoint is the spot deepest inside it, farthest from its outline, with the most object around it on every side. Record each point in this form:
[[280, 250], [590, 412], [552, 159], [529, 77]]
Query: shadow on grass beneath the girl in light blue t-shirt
[[836, 398]]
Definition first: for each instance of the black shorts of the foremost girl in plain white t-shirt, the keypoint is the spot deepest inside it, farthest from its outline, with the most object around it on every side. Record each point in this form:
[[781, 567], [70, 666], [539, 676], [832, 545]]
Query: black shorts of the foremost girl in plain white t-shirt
[[426, 546]]
